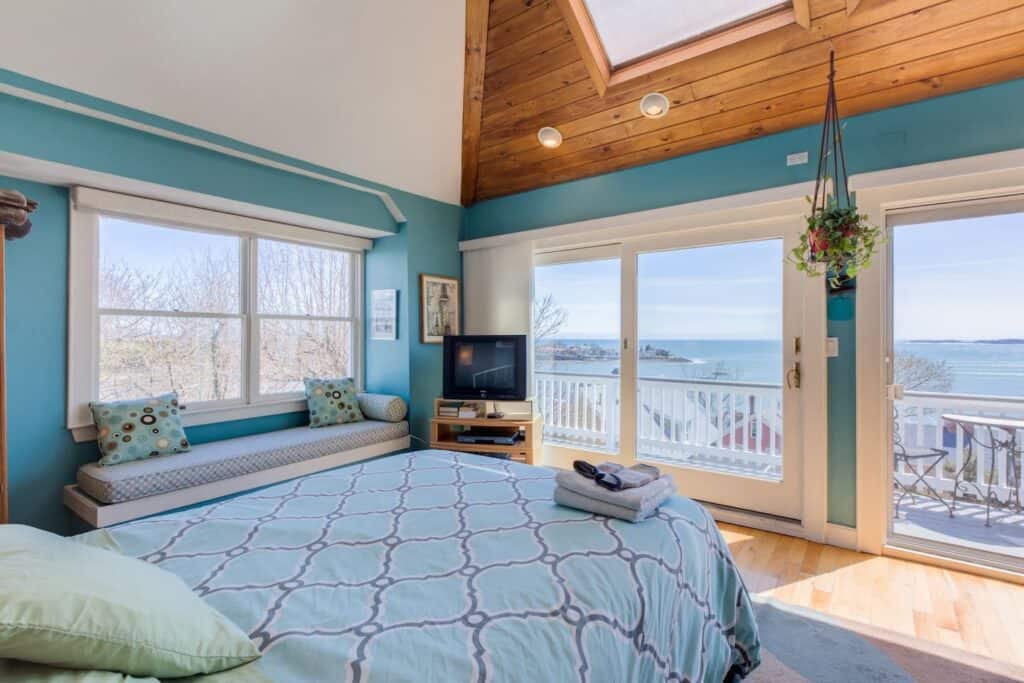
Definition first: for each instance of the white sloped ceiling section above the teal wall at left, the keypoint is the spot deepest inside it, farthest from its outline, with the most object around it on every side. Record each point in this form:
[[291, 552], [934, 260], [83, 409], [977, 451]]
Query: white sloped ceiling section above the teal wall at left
[[368, 88]]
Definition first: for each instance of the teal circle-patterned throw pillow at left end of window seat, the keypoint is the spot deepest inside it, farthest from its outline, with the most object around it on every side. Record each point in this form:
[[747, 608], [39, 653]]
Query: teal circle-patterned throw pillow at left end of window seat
[[129, 431]]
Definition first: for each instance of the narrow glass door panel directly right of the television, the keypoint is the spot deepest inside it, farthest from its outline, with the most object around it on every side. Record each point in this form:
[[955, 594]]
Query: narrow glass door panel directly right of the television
[[577, 344]]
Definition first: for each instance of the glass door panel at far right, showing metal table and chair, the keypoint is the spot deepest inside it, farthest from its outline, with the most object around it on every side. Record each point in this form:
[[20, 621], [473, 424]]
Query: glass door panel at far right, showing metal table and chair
[[958, 350]]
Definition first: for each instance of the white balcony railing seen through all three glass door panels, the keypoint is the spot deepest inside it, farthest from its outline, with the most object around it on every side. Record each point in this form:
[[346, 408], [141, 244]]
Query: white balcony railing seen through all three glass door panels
[[734, 426]]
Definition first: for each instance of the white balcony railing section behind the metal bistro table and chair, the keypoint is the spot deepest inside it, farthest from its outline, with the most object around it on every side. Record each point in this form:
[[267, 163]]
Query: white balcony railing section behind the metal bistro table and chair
[[919, 424]]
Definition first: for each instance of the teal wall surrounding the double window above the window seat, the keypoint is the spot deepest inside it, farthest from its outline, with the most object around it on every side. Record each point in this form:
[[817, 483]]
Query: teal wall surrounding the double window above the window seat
[[44, 457]]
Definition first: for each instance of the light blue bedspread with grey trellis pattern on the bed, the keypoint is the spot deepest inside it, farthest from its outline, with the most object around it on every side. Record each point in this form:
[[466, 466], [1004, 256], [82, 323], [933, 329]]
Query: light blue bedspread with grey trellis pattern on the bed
[[444, 567]]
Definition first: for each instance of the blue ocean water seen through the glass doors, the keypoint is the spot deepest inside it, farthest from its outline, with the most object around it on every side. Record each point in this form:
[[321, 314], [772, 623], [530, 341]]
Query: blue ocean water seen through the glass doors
[[974, 368]]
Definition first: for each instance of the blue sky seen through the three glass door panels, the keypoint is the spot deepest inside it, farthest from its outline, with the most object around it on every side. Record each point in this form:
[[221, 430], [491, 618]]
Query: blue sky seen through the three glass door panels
[[953, 280]]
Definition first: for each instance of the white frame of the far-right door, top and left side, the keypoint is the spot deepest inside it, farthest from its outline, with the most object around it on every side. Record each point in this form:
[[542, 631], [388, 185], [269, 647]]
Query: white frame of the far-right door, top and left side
[[879, 194]]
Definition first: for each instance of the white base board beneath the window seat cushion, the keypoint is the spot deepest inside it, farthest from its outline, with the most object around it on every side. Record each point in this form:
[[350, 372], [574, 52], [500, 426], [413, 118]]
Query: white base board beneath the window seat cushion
[[99, 515]]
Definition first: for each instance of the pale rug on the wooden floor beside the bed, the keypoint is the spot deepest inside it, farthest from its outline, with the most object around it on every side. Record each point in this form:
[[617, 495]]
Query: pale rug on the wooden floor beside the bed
[[800, 645]]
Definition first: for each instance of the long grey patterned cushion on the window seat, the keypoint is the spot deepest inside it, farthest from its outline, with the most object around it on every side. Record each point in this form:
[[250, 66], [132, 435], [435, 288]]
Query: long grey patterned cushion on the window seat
[[232, 458]]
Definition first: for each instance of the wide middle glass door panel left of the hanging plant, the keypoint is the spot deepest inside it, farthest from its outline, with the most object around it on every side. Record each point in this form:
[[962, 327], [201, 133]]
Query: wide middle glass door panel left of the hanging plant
[[711, 357]]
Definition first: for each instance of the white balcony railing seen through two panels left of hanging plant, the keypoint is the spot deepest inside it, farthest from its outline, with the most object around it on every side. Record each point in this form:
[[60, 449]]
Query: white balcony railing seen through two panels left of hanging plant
[[729, 426]]
